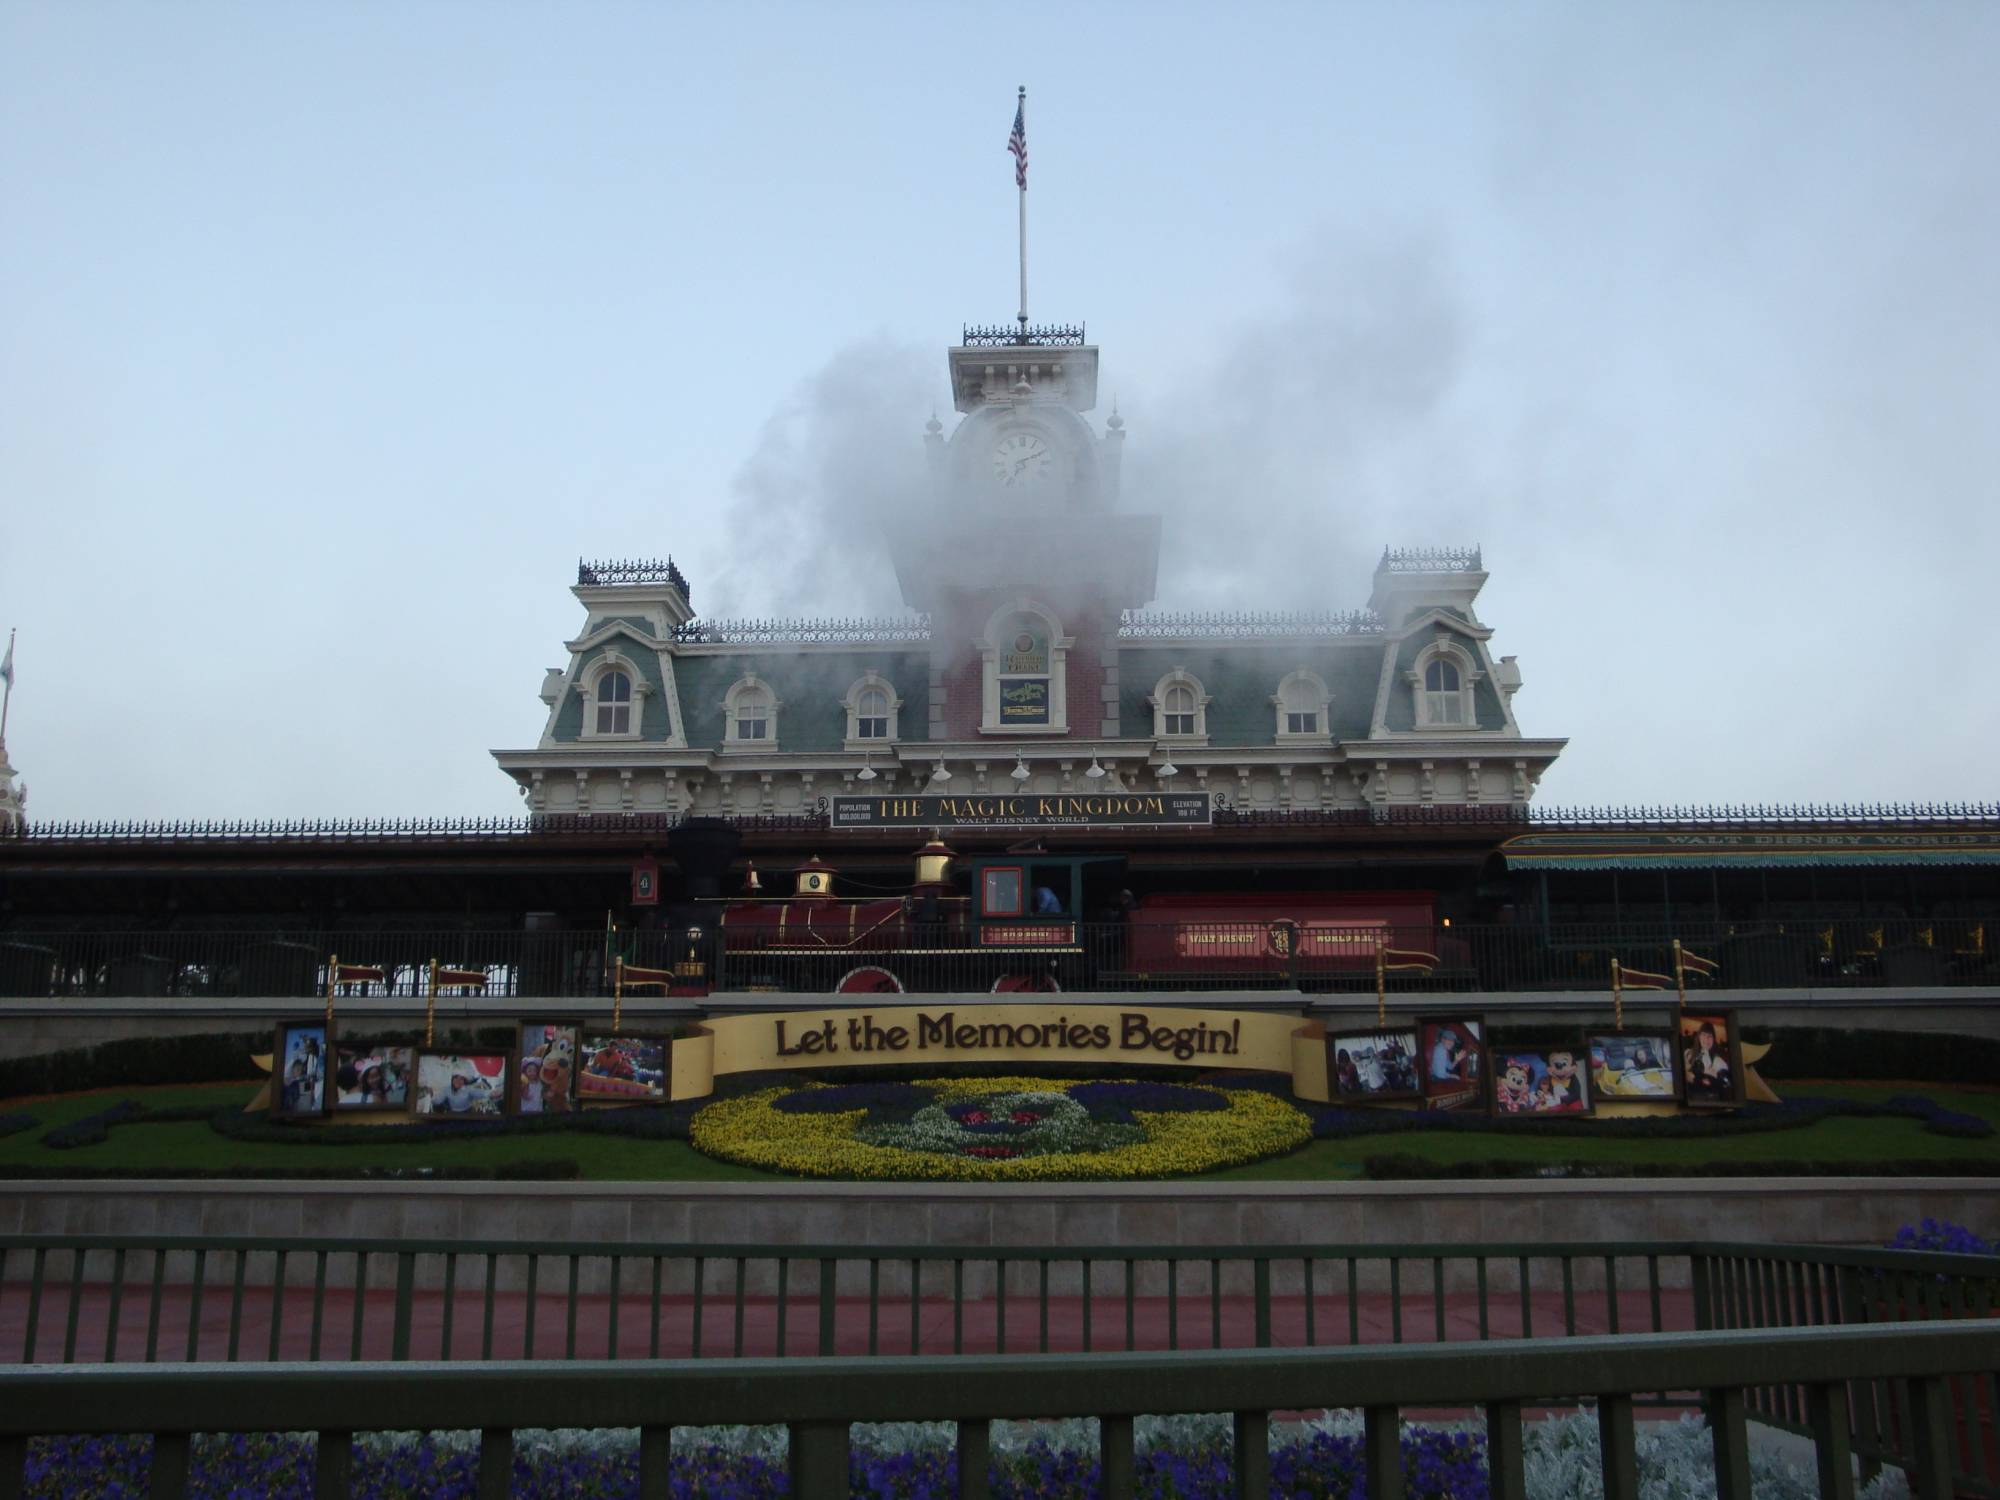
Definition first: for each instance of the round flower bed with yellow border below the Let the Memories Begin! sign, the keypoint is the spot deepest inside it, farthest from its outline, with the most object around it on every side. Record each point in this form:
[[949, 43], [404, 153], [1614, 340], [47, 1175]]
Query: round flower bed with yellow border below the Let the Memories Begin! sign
[[1001, 1131]]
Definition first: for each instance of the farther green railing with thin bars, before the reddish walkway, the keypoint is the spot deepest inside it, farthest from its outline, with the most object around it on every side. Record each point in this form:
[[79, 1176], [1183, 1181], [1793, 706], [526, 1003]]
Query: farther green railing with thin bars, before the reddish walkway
[[99, 1299]]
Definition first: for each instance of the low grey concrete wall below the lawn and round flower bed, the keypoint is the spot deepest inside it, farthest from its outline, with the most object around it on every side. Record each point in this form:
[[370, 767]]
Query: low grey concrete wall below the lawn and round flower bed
[[811, 1217]]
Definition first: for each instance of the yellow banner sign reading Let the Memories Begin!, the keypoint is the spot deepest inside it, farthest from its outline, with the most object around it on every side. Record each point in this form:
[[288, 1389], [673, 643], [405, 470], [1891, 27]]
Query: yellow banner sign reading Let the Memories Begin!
[[1029, 1035]]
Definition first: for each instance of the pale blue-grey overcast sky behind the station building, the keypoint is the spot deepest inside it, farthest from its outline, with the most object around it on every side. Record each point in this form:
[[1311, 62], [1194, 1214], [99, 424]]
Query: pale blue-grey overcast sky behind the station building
[[333, 335]]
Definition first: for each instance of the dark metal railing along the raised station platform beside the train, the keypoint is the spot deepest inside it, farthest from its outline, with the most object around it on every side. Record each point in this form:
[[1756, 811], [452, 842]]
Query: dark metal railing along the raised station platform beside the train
[[1109, 957]]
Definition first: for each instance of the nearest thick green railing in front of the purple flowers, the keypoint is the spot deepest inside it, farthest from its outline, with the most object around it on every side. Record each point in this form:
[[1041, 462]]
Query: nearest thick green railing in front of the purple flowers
[[1933, 1377]]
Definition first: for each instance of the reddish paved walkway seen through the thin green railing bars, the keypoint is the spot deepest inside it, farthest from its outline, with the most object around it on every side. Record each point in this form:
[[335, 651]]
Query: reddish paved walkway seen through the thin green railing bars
[[121, 1323]]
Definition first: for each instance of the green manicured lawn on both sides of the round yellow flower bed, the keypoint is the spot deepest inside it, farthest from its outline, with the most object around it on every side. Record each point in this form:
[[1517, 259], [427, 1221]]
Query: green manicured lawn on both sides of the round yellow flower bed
[[611, 1159]]
